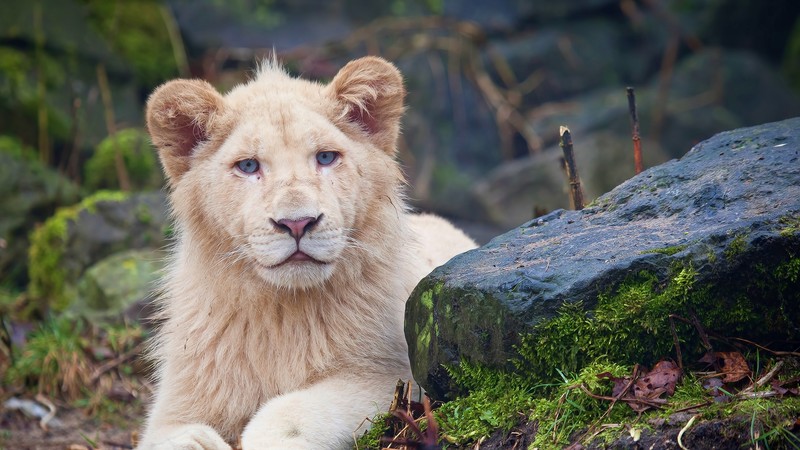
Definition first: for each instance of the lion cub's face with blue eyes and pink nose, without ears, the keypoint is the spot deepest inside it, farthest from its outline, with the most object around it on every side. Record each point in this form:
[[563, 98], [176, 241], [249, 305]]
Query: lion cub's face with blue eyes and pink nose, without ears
[[286, 194]]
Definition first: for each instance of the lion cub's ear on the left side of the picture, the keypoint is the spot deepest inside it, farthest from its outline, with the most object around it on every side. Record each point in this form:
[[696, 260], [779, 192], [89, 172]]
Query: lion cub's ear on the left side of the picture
[[180, 115]]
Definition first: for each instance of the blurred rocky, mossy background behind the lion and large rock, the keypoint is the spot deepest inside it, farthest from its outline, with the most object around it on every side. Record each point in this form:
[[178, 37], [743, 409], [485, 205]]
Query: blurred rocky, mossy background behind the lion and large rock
[[82, 212]]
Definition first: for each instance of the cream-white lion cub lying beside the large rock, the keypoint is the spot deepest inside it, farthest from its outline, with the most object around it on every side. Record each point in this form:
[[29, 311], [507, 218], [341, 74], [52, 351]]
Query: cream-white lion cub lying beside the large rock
[[283, 306]]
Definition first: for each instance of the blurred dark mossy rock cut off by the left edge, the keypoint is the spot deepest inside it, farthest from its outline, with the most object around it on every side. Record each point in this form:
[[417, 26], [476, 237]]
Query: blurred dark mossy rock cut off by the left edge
[[29, 193]]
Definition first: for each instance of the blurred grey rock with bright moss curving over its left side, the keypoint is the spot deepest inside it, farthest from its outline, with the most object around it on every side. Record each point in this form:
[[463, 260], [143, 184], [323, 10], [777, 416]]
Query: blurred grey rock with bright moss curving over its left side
[[77, 237]]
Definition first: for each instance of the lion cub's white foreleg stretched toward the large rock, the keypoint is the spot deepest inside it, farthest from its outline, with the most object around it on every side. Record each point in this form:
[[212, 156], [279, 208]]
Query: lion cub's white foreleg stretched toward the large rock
[[326, 415]]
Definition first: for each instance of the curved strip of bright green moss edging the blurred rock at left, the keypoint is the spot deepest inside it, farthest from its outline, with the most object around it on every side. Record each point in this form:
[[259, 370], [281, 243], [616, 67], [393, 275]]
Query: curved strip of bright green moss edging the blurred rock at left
[[48, 276]]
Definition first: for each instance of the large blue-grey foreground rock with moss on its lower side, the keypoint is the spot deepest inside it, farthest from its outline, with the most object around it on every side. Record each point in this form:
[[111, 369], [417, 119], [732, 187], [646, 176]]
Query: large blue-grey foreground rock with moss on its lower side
[[716, 234]]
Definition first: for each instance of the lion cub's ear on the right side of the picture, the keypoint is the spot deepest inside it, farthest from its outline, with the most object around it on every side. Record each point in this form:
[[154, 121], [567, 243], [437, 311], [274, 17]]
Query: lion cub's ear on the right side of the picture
[[369, 93]]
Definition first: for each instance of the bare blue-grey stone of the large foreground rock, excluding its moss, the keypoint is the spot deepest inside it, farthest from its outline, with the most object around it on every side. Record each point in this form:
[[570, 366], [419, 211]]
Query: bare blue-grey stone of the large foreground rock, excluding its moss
[[731, 205]]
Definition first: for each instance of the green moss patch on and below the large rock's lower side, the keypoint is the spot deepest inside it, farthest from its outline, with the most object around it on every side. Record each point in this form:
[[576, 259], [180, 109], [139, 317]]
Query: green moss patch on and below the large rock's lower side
[[628, 325]]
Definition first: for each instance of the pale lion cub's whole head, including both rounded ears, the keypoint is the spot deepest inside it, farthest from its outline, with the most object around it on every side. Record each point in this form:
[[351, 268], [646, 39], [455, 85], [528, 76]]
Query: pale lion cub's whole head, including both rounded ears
[[283, 171]]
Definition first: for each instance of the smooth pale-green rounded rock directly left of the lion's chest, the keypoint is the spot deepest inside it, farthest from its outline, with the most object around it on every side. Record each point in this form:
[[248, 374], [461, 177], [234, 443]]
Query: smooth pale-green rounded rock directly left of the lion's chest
[[114, 286]]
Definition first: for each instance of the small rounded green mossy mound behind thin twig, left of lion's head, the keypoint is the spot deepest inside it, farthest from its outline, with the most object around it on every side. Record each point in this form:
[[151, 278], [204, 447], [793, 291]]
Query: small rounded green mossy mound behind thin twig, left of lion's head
[[138, 157]]
